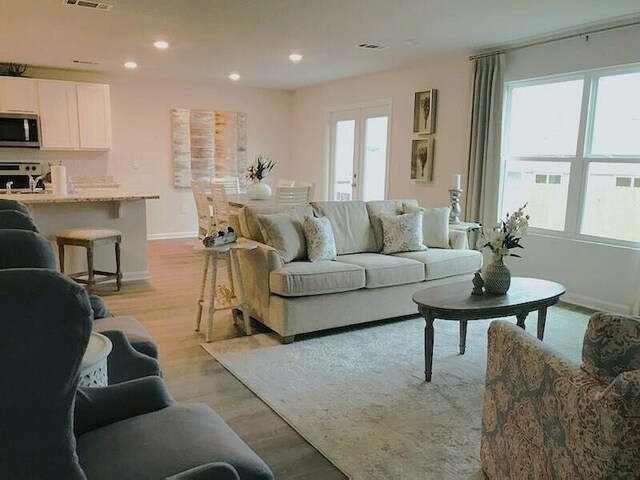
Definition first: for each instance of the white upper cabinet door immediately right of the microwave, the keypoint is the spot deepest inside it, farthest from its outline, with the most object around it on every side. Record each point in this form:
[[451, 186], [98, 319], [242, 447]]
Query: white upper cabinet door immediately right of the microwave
[[58, 115]]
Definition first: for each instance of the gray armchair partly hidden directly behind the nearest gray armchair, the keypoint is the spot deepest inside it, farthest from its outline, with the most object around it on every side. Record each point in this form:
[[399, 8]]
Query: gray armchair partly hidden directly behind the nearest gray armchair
[[134, 352]]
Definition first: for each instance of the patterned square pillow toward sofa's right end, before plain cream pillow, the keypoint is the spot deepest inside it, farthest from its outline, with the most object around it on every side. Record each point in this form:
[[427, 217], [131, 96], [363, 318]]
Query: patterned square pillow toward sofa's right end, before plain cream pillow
[[402, 233]]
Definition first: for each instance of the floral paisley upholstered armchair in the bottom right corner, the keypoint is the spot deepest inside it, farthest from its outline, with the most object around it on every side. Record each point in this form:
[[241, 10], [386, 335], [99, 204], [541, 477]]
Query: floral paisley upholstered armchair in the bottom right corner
[[546, 418]]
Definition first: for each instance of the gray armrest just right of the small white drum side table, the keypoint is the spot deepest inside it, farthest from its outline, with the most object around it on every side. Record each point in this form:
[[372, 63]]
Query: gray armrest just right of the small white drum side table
[[126, 363]]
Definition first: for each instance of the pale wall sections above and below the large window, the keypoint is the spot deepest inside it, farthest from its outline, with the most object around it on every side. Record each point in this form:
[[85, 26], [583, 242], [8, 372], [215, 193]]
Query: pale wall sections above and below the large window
[[596, 275]]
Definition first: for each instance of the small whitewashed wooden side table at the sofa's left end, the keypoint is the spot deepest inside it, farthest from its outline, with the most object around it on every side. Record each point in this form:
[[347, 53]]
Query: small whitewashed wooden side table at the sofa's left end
[[238, 300]]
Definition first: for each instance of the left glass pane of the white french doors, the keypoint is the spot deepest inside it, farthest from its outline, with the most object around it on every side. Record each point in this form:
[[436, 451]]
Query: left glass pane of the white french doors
[[343, 159]]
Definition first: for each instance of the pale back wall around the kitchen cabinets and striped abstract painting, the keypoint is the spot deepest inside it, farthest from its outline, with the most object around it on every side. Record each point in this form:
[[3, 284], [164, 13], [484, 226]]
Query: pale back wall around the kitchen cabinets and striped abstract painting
[[140, 110]]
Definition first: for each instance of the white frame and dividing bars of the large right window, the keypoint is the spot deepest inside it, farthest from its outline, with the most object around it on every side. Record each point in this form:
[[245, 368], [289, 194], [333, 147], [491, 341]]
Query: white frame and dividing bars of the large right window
[[579, 162]]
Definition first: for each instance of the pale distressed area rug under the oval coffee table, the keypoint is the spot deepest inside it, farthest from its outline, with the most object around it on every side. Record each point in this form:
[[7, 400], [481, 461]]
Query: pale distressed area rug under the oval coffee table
[[360, 398]]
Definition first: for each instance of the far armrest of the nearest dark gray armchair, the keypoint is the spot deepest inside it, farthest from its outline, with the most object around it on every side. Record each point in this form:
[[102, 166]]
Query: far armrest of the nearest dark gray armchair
[[97, 407]]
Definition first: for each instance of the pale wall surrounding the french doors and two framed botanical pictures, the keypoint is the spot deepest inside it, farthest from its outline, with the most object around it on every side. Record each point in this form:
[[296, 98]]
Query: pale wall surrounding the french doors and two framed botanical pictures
[[452, 78]]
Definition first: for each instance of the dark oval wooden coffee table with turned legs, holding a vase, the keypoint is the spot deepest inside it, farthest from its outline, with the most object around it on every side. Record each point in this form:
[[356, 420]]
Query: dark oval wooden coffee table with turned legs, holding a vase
[[455, 302]]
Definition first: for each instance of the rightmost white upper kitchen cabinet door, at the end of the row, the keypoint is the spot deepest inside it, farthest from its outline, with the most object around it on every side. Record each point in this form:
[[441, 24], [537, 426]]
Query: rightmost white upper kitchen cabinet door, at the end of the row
[[94, 116]]
